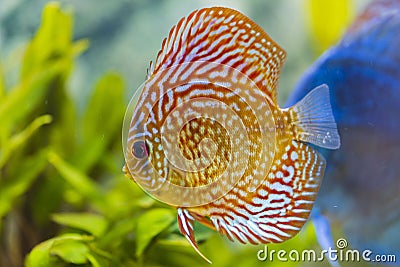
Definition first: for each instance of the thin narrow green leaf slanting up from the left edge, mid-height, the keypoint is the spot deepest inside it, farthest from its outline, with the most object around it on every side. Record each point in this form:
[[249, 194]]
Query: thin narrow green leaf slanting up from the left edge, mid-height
[[19, 139]]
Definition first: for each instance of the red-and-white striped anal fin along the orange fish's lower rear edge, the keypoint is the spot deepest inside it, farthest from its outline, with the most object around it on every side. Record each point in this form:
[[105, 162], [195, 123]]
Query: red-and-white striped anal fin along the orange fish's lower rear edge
[[279, 207]]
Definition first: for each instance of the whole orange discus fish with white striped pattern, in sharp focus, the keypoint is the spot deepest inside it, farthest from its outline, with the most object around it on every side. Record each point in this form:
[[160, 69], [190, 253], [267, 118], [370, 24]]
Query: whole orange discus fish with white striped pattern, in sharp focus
[[205, 133]]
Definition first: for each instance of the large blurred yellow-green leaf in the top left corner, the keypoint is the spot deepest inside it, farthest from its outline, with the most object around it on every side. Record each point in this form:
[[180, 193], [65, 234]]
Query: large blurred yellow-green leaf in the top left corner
[[48, 58]]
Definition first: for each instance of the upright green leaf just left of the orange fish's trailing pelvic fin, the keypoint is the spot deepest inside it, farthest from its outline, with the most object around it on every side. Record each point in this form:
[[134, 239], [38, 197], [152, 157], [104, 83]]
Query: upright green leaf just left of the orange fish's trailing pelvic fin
[[151, 224]]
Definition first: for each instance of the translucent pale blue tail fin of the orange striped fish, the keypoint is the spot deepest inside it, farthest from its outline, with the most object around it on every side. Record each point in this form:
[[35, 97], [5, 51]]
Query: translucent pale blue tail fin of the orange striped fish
[[314, 120]]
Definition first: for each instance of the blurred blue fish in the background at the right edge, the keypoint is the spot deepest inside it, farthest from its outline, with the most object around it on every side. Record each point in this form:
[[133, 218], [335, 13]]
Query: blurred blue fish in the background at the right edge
[[362, 183]]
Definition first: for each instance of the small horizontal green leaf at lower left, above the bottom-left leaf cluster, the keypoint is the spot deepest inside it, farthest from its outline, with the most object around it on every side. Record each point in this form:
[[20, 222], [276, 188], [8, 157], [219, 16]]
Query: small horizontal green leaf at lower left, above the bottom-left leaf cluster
[[92, 223]]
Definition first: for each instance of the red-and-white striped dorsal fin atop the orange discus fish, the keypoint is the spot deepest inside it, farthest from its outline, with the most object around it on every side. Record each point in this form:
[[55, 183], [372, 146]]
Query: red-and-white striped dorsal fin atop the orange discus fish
[[223, 35]]
